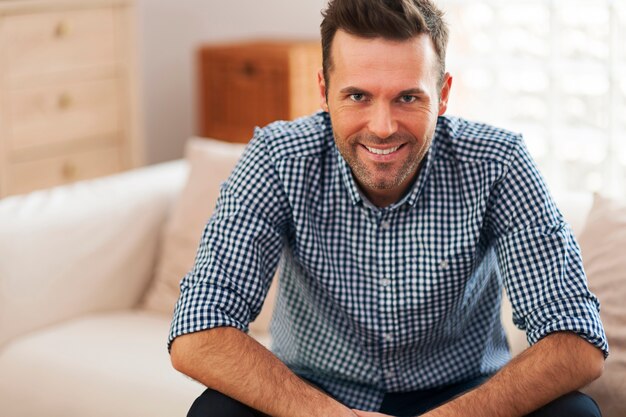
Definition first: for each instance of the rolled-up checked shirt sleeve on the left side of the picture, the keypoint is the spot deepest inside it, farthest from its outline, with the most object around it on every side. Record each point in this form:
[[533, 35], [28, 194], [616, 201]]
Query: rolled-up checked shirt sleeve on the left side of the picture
[[239, 250]]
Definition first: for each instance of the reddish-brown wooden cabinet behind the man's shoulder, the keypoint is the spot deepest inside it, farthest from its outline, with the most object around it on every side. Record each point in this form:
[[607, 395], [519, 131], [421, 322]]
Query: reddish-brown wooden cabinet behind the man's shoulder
[[251, 84]]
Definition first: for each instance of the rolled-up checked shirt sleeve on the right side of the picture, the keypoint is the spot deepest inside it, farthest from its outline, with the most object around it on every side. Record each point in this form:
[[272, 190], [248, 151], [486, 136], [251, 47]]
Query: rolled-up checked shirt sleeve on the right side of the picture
[[539, 258]]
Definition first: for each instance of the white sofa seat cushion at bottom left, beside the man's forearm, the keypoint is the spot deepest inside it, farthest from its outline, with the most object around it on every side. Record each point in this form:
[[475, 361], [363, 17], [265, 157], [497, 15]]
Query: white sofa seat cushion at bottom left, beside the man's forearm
[[115, 361]]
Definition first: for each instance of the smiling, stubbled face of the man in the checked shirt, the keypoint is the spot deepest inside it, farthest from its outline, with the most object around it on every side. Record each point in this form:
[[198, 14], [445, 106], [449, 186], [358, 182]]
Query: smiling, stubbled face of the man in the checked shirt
[[383, 101]]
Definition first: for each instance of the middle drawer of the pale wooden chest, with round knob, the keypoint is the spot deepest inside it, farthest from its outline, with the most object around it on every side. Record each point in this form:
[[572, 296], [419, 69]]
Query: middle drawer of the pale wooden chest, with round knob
[[54, 115]]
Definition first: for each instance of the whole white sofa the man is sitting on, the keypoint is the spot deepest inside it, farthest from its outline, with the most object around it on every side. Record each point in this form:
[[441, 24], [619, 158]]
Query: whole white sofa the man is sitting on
[[75, 262]]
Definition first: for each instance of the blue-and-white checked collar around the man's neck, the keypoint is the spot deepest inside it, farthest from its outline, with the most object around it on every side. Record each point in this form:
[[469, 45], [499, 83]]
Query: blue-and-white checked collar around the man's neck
[[410, 198]]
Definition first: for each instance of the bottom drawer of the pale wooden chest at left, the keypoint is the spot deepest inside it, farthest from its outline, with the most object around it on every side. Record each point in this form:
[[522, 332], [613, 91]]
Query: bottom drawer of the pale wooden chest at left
[[23, 177]]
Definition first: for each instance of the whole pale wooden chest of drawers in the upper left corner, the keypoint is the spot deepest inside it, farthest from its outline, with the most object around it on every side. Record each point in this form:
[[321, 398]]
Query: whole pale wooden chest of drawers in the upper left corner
[[68, 105]]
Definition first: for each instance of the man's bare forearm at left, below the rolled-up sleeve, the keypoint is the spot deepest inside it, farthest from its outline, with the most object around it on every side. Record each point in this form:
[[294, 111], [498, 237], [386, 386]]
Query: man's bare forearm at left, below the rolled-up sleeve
[[229, 361]]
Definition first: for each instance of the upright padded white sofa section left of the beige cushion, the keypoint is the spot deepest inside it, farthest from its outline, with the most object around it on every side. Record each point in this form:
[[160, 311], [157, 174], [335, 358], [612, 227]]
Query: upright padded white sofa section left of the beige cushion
[[81, 248]]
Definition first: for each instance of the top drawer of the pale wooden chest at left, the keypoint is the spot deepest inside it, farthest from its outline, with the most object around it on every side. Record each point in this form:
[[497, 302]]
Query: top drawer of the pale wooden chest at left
[[58, 41]]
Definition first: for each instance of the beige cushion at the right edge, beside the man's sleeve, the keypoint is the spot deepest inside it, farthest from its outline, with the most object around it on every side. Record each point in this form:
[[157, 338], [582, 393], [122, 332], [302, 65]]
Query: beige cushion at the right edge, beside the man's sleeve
[[603, 245]]
